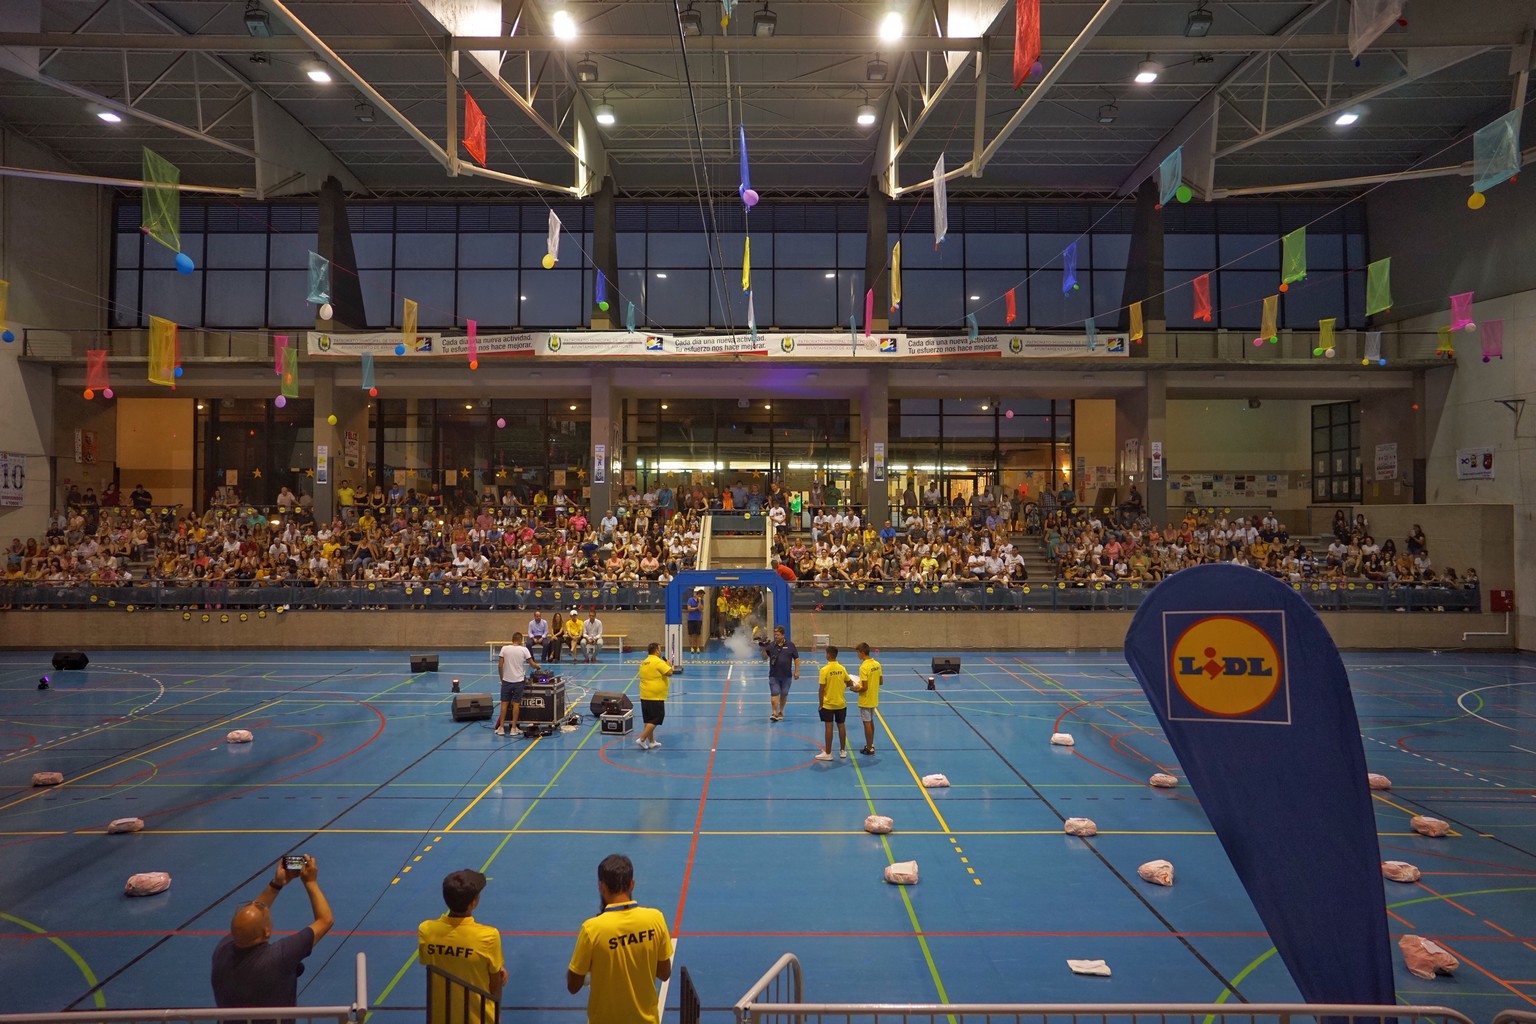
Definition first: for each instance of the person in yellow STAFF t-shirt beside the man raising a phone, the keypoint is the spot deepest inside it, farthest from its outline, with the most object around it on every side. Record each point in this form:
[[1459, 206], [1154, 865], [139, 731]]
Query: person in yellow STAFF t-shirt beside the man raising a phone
[[460, 946]]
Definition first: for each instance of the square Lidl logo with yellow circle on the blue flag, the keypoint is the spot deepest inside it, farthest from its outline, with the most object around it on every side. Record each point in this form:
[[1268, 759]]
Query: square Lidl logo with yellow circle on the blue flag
[[1226, 667]]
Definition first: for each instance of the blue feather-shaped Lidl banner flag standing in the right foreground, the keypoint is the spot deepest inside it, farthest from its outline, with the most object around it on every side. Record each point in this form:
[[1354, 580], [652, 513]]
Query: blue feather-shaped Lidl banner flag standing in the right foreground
[[1256, 704]]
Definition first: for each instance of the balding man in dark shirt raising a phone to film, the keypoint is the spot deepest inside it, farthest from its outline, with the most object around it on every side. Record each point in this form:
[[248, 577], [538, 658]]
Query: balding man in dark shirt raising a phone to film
[[250, 969]]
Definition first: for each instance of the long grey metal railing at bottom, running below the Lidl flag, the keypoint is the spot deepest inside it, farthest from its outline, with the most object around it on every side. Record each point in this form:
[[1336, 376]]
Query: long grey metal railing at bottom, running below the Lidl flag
[[776, 997]]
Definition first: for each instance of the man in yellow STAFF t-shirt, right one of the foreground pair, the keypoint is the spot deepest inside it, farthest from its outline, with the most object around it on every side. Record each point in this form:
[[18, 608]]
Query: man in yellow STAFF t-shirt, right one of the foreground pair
[[626, 950]]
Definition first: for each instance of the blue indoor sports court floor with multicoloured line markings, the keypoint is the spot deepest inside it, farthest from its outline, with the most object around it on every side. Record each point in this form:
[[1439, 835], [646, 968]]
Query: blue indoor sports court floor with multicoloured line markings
[[749, 845]]
